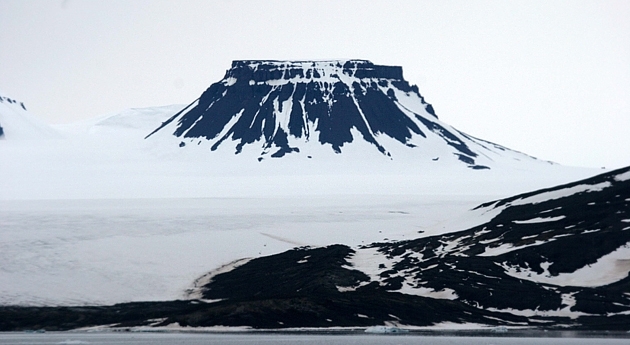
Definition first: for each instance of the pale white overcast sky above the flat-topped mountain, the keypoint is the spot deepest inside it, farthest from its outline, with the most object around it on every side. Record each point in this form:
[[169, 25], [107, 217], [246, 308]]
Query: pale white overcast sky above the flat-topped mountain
[[548, 78]]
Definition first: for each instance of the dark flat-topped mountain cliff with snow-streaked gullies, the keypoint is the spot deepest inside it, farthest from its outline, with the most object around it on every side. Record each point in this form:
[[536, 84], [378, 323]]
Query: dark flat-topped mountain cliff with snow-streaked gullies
[[281, 105]]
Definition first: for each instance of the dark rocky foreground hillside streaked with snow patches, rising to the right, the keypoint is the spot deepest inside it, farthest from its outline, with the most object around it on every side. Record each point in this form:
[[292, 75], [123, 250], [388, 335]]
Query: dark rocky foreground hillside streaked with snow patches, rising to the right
[[583, 227]]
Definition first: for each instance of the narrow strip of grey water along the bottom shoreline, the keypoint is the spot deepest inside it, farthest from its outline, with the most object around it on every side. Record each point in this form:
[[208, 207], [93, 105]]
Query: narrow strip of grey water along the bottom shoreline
[[311, 339]]
